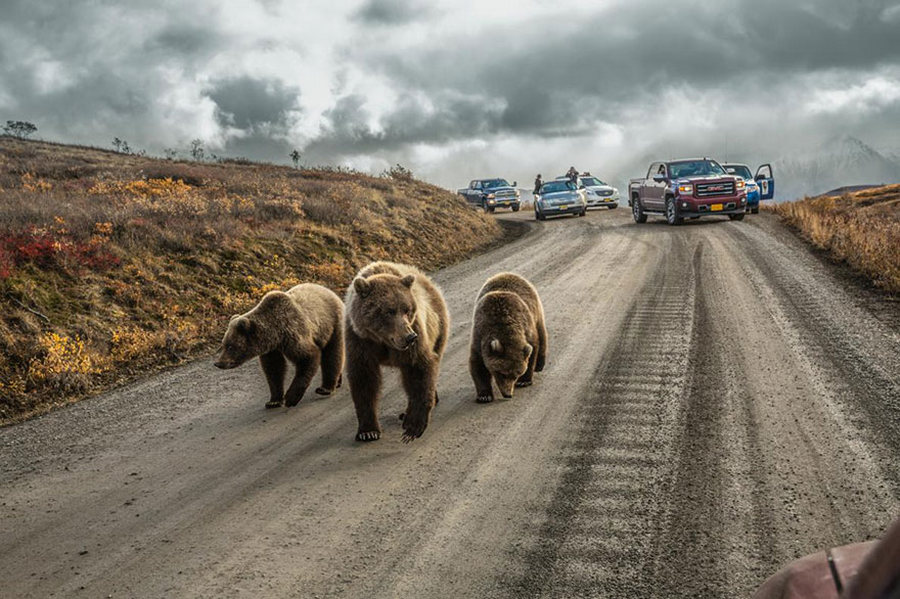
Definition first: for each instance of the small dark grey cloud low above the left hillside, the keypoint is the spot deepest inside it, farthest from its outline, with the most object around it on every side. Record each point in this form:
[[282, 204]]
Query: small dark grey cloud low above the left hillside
[[249, 103]]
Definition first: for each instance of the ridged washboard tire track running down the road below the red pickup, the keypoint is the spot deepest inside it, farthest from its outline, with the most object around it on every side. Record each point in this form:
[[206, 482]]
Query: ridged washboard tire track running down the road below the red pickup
[[599, 536]]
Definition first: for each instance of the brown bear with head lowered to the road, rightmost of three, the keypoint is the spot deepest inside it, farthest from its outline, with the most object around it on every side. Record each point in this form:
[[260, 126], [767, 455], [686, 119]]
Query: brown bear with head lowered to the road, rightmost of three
[[509, 337]]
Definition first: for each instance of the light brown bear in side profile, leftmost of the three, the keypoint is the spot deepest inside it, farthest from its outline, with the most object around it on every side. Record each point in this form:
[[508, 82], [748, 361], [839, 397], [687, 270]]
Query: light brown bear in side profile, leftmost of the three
[[302, 325]]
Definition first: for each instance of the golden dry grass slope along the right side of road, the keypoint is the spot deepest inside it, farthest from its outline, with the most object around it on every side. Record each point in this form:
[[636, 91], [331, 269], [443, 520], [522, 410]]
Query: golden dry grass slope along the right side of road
[[860, 228]]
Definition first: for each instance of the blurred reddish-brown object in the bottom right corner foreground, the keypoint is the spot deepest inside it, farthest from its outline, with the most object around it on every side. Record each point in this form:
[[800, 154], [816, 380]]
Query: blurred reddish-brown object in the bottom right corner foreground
[[868, 570]]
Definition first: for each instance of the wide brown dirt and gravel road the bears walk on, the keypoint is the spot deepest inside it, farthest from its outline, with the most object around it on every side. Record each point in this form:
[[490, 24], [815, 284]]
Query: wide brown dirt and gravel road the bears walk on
[[716, 403]]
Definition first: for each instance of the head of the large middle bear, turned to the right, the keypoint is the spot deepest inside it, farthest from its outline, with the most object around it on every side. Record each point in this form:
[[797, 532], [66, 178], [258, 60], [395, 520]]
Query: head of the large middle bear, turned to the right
[[385, 309]]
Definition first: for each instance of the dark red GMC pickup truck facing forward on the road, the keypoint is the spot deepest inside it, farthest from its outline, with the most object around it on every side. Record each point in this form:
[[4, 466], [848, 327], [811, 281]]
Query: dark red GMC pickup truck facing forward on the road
[[692, 188]]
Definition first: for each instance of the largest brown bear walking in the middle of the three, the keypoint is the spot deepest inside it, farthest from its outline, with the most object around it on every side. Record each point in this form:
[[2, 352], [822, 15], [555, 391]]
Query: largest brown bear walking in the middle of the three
[[395, 317]]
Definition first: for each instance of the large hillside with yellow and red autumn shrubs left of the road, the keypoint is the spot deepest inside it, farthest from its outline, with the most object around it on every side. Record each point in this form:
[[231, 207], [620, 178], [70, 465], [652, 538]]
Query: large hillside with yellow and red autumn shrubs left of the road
[[112, 265]]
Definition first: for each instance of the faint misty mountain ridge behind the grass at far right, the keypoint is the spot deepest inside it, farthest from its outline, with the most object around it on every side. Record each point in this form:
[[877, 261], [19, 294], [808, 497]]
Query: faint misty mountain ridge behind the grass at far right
[[841, 162]]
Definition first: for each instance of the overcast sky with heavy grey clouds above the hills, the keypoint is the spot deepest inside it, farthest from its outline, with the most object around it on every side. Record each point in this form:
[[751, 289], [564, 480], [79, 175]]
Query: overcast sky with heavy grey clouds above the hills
[[457, 89]]
